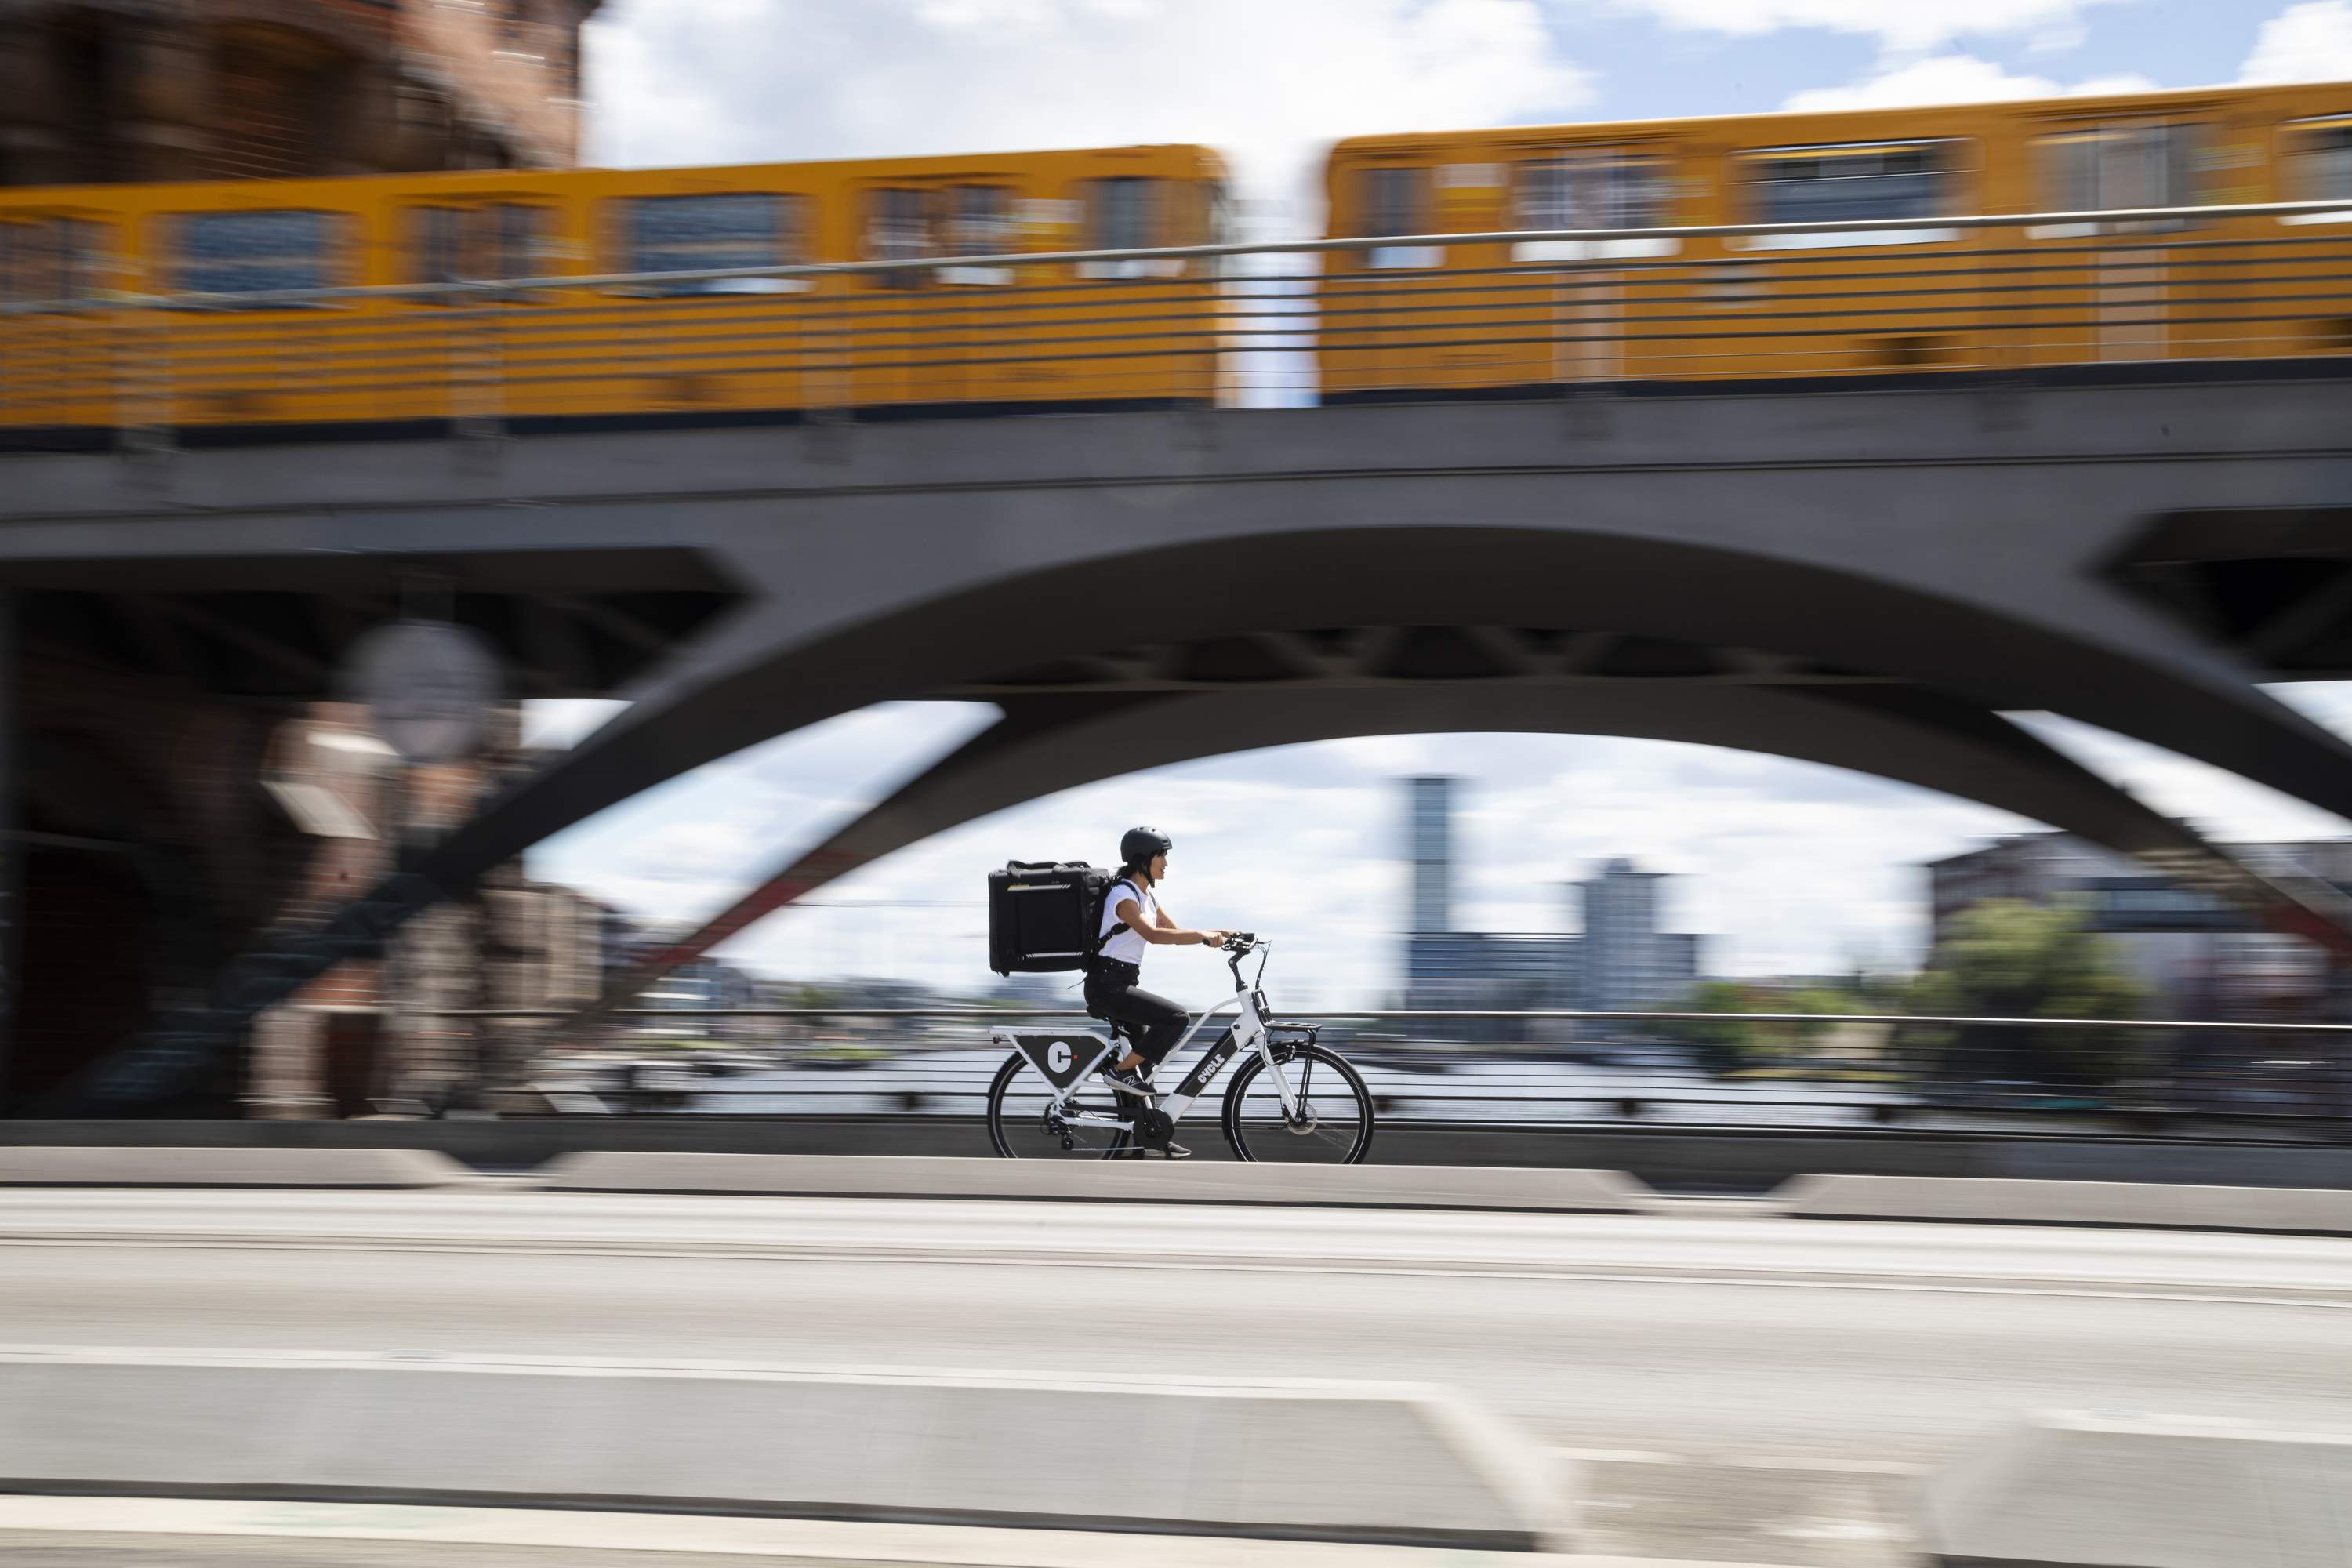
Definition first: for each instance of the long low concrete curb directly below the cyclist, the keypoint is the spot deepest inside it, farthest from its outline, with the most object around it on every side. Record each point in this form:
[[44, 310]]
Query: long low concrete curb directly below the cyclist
[[1144, 1181]]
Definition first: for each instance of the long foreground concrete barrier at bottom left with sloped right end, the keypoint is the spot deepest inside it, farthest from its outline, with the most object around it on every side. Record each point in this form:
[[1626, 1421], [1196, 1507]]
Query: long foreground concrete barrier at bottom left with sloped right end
[[1295, 1461]]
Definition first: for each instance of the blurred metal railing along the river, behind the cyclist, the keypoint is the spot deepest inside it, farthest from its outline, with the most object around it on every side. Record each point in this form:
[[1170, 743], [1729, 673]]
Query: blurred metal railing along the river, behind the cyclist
[[1504, 1066]]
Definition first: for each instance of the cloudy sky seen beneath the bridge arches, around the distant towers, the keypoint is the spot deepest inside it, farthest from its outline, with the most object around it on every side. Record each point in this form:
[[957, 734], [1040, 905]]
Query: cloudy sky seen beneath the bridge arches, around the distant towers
[[1791, 869]]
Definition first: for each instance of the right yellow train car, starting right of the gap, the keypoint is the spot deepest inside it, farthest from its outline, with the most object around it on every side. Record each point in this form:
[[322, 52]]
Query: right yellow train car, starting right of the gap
[[1495, 319]]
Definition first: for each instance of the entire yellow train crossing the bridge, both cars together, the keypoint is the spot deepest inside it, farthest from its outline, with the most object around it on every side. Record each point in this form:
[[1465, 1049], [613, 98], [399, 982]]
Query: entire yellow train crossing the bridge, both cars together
[[163, 321]]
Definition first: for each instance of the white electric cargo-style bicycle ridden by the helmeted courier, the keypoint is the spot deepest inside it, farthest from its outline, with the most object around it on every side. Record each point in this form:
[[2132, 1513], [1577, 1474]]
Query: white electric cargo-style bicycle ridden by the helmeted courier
[[1292, 1099]]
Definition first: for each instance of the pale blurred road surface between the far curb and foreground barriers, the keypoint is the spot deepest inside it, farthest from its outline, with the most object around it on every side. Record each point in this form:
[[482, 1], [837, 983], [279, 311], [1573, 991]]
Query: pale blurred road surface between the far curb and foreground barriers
[[1742, 1388]]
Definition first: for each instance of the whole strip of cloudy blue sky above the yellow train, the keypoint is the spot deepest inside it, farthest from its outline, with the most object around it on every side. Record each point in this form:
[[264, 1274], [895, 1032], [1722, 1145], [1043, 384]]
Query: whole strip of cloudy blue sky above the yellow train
[[1271, 81]]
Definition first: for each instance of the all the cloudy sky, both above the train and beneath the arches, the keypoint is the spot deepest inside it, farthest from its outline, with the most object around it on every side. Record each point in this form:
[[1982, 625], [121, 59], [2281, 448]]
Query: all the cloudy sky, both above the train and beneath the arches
[[1784, 866]]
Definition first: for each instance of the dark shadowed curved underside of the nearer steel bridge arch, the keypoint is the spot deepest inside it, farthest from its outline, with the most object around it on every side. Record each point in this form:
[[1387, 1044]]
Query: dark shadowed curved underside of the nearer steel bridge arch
[[768, 676]]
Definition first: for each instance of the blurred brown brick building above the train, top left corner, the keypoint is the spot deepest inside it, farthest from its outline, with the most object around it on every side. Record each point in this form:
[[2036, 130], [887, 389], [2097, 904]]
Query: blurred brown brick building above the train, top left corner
[[166, 91]]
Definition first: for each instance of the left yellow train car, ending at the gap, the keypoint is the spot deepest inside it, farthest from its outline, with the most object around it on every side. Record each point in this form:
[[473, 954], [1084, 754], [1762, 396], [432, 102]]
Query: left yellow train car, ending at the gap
[[168, 307]]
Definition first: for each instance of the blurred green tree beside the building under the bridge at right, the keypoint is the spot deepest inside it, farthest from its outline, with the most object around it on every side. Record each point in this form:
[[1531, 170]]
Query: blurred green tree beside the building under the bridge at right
[[2026, 960]]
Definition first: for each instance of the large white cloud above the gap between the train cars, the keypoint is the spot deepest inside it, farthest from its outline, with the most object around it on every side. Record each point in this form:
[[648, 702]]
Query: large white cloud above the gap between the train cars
[[749, 81]]
